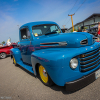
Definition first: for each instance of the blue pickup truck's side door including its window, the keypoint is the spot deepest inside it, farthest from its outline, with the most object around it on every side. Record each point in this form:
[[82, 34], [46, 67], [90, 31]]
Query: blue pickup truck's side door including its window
[[25, 45]]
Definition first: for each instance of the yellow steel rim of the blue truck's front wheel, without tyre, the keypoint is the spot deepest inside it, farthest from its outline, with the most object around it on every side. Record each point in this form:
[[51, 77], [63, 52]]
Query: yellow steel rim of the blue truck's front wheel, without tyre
[[43, 74]]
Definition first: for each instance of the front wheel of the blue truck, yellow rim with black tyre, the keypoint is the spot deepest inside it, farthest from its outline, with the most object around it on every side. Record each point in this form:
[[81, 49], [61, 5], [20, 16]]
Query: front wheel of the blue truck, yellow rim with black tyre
[[44, 77]]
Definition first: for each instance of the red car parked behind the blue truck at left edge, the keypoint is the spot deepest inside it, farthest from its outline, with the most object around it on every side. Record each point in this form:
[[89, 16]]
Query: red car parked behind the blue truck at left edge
[[5, 50]]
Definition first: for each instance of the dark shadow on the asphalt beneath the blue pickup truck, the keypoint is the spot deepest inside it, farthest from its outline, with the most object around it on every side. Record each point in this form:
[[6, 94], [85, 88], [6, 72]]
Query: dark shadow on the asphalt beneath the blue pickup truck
[[54, 87]]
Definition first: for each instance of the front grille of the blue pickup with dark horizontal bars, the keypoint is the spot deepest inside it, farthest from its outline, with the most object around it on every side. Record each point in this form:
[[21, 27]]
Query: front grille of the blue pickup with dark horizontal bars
[[89, 61]]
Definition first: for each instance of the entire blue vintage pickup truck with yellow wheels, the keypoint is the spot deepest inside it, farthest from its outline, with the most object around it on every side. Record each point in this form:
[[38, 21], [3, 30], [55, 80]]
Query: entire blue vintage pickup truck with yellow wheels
[[66, 59]]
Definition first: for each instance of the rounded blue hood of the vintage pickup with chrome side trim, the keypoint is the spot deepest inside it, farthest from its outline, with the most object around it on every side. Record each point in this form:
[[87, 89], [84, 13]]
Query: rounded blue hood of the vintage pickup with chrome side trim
[[68, 40]]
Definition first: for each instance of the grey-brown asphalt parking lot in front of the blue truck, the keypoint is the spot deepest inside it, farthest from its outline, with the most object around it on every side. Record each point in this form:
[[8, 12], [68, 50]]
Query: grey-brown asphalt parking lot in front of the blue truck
[[18, 84]]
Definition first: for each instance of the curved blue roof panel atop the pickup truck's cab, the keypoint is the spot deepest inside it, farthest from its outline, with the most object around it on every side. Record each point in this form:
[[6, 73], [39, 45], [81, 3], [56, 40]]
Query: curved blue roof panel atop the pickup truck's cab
[[37, 23]]
